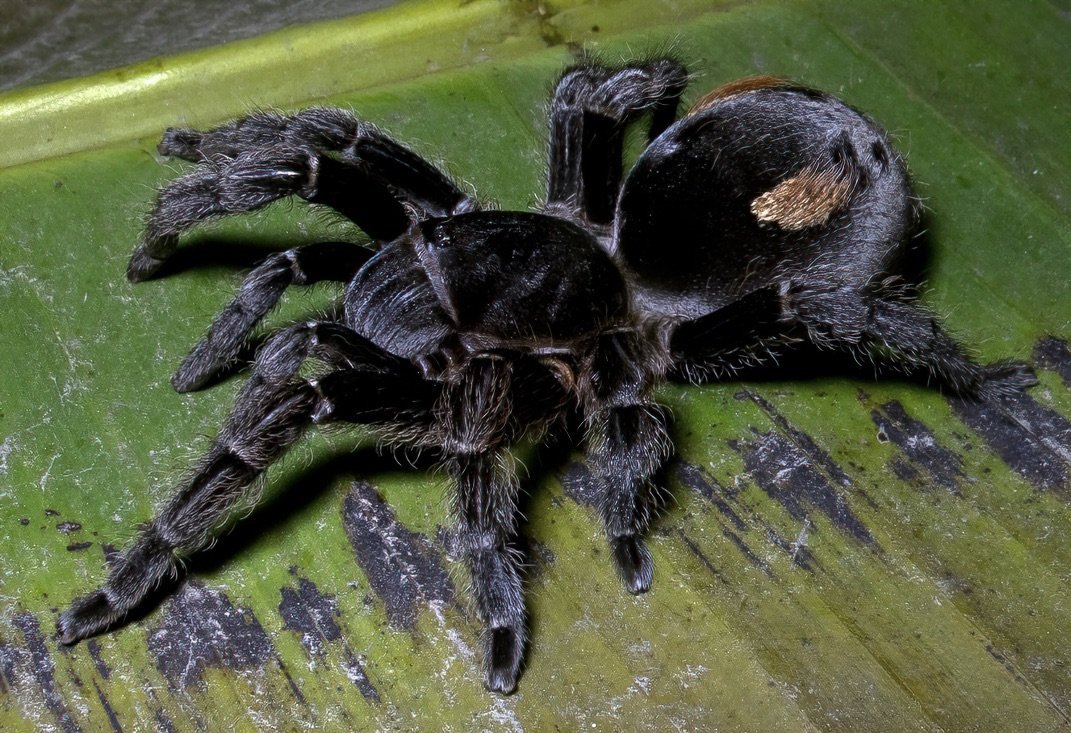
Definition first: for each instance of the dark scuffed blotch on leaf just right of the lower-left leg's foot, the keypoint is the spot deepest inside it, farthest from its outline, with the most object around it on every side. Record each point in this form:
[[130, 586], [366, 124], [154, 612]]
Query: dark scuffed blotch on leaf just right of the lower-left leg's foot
[[203, 629]]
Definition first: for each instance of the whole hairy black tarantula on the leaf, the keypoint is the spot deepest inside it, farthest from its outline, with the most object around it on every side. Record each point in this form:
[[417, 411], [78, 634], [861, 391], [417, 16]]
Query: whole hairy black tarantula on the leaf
[[768, 216]]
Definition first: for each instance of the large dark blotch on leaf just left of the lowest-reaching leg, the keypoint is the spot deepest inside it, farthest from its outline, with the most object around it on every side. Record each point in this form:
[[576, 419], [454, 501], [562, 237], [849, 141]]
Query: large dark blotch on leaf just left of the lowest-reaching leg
[[402, 566]]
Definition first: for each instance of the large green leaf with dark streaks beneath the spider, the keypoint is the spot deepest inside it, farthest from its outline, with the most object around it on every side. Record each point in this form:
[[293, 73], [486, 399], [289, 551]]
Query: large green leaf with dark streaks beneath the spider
[[840, 555]]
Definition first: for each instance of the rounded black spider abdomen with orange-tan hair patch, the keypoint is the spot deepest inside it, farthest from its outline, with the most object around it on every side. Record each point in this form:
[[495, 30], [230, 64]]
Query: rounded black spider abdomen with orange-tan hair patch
[[761, 181]]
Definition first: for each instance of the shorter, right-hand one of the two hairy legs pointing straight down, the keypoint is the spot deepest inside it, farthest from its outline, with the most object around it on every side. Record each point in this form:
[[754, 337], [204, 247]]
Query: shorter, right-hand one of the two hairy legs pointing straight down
[[628, 445]]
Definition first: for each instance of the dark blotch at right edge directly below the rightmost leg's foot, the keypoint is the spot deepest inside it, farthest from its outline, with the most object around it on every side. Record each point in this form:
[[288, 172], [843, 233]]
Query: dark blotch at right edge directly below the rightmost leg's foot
[[1033, 441]]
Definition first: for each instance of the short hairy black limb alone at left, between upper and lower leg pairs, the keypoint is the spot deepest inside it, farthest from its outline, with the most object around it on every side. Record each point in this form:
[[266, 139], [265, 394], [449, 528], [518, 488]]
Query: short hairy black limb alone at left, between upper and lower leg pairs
[[259, 294]]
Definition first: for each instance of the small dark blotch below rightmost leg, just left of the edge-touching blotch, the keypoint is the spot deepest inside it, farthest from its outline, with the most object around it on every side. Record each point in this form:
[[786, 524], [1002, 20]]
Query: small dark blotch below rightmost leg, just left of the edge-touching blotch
[[918, 444]]
